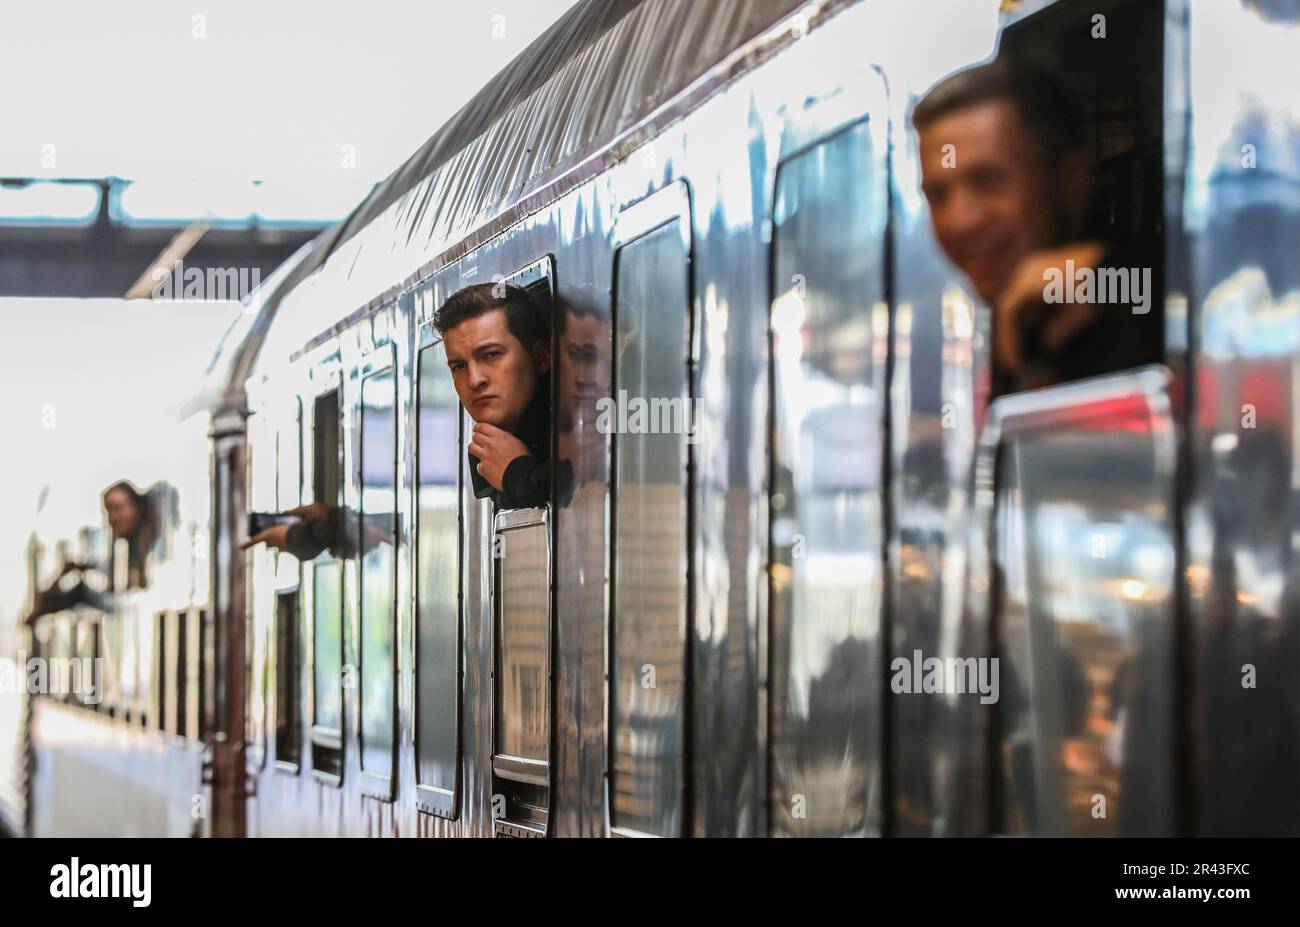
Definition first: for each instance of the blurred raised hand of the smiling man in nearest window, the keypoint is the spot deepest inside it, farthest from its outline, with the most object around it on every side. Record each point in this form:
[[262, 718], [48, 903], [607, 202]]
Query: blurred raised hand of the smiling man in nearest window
[[1026, 294]]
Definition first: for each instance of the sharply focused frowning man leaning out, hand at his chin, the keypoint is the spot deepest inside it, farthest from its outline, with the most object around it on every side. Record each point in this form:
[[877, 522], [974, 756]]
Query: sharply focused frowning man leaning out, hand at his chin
[[497, 344]]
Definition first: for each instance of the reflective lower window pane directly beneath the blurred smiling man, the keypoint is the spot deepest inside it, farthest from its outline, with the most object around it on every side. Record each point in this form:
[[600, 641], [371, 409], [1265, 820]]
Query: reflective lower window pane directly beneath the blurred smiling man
[[1084, 608]]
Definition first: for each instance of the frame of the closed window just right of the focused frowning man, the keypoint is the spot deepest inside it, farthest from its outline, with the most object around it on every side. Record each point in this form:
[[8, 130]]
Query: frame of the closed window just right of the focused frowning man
[[671, 205]]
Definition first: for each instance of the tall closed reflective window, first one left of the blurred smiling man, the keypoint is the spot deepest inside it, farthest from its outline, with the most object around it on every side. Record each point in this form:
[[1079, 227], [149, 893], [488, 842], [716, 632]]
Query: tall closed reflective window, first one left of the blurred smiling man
[[829, 331]]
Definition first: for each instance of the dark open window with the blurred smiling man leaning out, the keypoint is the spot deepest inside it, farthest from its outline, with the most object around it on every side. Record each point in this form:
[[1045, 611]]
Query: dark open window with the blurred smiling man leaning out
[[1074, 172]]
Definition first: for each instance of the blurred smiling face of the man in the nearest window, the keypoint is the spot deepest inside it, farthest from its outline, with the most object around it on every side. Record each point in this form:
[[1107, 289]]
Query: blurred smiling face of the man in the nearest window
[[991, 197]]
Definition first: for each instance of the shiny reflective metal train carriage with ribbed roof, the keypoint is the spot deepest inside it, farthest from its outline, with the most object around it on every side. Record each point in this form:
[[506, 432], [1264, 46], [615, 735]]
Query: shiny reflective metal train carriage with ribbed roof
[[704, 638]]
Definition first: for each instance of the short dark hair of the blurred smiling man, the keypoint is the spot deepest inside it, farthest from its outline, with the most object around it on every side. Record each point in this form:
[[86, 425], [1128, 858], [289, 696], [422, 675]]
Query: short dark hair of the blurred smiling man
[[1046, 106]]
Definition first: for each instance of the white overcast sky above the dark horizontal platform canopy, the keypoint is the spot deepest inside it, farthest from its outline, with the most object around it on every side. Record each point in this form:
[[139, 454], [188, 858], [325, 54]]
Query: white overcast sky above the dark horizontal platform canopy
[[232, 92]]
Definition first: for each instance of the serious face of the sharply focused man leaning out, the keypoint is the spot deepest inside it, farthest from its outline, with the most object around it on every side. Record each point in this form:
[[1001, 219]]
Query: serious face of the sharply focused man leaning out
[[493, 372]]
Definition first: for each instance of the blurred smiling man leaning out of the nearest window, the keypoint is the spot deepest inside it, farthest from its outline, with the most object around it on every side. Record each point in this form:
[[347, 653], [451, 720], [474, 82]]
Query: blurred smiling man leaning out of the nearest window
[[1011, 189]]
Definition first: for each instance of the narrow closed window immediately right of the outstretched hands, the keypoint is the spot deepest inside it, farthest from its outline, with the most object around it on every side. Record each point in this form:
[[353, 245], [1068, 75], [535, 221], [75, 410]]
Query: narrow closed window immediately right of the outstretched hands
[[378, 462]]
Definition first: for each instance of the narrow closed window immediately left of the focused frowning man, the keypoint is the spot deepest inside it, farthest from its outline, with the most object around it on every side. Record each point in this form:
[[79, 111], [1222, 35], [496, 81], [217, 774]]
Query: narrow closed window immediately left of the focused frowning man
[[439, 441]]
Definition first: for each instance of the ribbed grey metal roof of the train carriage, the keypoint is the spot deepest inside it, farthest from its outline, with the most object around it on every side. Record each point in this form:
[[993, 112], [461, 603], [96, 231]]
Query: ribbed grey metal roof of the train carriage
[[600, 72]]
